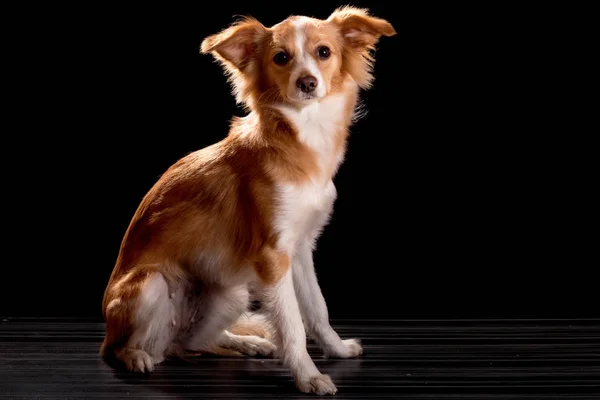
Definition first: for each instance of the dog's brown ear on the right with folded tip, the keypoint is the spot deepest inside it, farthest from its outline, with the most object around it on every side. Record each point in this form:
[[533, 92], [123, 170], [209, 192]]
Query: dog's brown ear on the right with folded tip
[[360, 30]]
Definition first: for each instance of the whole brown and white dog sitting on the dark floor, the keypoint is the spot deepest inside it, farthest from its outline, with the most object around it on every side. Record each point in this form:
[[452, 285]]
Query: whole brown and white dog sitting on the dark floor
[[245, 212]]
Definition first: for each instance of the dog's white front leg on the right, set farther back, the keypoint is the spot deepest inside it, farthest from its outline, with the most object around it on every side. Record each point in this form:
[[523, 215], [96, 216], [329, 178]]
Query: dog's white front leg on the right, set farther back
[[314, 309]]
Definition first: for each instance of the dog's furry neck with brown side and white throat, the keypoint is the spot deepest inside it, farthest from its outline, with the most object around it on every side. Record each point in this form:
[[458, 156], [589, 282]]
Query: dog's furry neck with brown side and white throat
[[304, 142]]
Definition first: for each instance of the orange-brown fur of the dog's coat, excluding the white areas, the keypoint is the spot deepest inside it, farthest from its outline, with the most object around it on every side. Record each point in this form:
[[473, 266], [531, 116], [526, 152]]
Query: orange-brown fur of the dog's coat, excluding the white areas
[[223, 197]]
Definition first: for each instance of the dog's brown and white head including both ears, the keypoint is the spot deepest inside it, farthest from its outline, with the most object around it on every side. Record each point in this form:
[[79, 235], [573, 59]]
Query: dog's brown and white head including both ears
[[300, 59]]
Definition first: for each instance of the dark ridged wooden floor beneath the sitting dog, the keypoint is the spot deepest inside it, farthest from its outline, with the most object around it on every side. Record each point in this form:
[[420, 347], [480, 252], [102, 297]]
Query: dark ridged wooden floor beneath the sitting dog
[[466, 359]]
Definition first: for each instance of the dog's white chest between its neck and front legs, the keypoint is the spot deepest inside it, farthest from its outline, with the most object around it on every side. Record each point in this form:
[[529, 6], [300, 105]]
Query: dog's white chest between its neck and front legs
[[302, 212]]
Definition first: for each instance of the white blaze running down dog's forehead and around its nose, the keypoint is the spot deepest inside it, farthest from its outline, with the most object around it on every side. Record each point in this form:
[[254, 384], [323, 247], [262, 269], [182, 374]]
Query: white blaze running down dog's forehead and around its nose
[[305, 62]]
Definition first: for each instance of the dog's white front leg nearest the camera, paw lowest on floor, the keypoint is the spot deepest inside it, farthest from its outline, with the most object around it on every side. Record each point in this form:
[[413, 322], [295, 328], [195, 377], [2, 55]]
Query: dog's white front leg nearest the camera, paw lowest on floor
[[281, 306]]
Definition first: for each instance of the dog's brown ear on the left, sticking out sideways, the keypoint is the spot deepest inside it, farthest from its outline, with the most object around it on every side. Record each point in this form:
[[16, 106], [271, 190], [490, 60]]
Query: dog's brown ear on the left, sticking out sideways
[[236, 45]]
